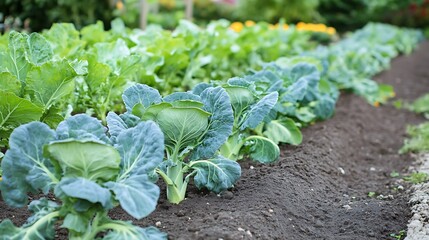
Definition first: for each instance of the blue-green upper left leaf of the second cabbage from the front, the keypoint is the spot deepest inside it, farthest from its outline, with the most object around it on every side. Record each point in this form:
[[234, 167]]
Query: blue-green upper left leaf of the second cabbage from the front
[[140, 93]]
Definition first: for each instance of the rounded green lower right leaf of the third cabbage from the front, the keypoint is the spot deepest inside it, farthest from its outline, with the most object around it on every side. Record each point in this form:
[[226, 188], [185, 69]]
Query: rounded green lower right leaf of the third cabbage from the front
[[262, 149]]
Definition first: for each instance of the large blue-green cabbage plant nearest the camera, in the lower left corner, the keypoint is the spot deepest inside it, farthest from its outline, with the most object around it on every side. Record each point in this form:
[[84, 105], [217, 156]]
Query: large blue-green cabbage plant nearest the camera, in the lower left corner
[[86, 173]]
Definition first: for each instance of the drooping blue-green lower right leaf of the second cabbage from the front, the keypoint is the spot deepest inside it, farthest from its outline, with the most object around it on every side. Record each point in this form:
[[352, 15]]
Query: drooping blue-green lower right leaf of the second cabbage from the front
[[216, 174]]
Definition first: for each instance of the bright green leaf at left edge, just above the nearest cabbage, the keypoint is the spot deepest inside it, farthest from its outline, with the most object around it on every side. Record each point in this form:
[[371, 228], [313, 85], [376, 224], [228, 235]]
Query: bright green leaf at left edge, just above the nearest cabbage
[[15, 111]]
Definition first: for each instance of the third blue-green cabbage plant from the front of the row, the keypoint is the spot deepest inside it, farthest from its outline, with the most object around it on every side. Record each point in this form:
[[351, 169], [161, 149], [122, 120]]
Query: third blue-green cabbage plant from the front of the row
[[250, 109]]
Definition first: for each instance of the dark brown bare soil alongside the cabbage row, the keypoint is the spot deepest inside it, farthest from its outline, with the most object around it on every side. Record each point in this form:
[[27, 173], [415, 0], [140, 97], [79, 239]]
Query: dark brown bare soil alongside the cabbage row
[[318, 190]]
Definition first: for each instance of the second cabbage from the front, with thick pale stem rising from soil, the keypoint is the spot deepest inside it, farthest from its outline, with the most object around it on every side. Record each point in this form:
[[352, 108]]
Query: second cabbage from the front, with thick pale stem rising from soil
[[194, 126]]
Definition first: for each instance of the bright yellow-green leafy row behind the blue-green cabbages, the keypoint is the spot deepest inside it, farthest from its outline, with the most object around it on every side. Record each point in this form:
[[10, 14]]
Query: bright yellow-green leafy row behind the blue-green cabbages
[[87, 71]]
